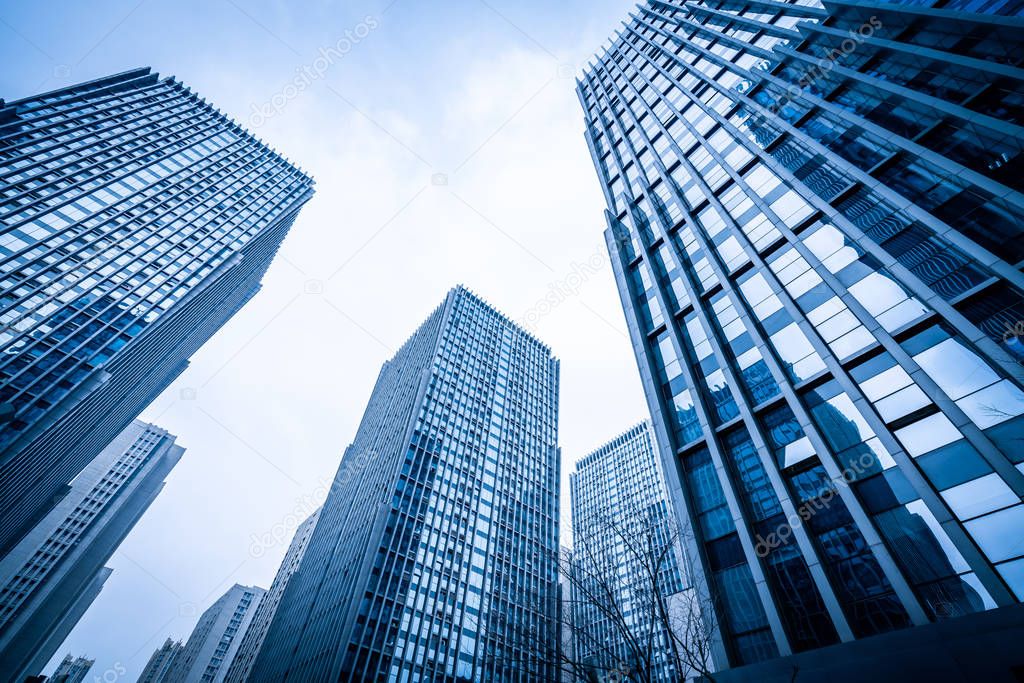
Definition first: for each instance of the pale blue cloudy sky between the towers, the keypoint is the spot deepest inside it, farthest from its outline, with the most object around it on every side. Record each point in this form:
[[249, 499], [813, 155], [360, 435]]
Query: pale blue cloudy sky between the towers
[[446, 140]]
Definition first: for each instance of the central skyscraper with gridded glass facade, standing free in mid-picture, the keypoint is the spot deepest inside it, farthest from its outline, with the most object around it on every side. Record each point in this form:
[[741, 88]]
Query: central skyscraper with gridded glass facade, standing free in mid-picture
[[435, 557]]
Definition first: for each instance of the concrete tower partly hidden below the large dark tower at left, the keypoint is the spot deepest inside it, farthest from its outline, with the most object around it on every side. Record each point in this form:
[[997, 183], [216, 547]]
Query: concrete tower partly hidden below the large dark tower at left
[[49, 580]]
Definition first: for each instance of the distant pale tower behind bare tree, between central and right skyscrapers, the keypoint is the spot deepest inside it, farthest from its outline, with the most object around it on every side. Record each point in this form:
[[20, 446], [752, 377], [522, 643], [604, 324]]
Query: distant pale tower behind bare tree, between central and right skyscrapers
[[624, 539]]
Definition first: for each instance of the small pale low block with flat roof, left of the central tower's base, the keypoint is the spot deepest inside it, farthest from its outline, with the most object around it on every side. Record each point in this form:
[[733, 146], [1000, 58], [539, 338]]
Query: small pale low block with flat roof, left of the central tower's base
[[212, 645]]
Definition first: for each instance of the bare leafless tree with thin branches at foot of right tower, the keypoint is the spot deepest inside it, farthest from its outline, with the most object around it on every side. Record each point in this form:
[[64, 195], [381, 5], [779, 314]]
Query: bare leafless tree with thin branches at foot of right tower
[[619, 625]]
